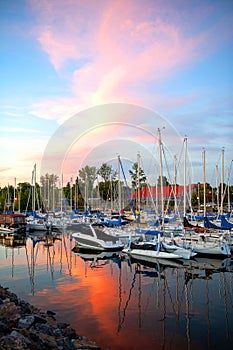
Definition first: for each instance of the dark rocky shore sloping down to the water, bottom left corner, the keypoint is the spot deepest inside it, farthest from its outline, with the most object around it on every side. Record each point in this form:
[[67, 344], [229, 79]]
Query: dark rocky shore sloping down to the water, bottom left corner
[[23, 326]]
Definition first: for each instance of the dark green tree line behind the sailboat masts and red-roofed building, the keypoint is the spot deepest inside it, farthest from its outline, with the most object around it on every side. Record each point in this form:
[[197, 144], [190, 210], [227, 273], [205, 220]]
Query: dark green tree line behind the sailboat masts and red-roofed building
[[92, 186]]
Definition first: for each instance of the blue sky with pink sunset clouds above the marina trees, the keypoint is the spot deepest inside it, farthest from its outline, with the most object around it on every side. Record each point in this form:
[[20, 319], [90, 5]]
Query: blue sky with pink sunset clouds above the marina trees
[[86, 82]]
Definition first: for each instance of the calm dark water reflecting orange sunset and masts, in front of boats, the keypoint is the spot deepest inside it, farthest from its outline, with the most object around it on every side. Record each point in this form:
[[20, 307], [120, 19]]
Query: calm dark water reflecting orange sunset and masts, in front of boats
[[122, 304]]
